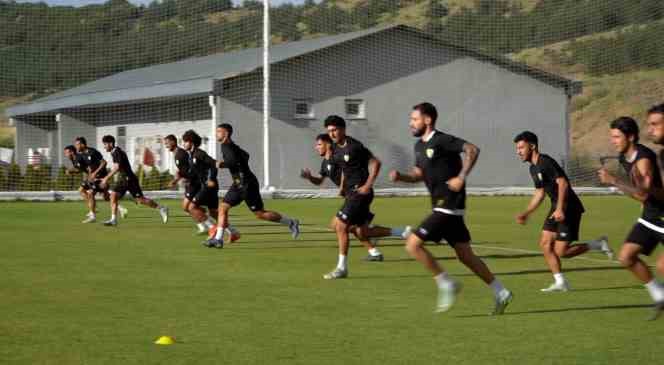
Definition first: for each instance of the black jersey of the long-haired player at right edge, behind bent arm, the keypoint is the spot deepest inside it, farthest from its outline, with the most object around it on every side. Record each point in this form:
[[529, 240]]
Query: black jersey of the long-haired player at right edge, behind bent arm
[[653, 210]]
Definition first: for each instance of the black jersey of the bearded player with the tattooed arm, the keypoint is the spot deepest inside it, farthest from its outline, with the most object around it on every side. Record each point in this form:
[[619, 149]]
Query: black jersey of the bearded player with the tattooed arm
[[439, 158]]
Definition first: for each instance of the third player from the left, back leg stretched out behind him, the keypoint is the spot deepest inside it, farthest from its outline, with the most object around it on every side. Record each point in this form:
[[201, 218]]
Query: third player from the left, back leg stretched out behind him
[[126, 181]]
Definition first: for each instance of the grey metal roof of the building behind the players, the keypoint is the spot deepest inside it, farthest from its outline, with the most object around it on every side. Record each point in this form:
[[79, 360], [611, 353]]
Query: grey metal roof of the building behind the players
[[196, 75]]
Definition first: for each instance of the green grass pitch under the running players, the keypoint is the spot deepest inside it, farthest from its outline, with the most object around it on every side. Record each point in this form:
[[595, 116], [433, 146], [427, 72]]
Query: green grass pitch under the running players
[[86, 294]]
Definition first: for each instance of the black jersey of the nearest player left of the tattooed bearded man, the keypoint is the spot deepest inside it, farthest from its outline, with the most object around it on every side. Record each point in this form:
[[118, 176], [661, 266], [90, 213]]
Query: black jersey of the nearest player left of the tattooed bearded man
[[353, 160]]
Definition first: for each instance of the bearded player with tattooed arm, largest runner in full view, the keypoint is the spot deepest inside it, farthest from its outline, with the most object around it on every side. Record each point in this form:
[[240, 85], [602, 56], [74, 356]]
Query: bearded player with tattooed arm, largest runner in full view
[[438, 163]]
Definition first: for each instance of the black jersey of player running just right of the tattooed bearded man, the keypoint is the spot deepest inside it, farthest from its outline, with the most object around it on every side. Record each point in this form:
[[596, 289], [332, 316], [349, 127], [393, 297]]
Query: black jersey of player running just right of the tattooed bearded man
[[544, 175]]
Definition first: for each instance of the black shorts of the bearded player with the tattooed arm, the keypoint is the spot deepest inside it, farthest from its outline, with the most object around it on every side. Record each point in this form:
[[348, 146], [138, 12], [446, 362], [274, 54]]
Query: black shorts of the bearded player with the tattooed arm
[[439, 226]]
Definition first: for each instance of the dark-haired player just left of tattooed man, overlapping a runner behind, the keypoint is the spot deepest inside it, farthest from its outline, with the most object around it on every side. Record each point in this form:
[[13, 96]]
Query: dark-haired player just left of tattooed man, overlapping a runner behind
[[359, 169]]
